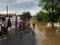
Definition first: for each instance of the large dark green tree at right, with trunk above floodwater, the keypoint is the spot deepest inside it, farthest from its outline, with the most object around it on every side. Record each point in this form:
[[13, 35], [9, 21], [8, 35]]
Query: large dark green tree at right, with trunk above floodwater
[[52, 7]]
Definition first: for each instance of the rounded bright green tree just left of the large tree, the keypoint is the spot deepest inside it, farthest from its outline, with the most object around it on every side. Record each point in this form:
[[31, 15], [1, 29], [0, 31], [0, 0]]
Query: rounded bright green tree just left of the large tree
[[42, 16]]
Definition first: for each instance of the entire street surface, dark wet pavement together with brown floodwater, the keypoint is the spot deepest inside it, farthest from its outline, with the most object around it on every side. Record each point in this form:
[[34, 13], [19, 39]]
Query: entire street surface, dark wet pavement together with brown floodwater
[[43, 36]]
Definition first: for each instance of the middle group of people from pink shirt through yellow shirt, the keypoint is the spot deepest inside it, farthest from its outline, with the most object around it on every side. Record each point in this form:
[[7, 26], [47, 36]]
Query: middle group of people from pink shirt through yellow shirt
[[24, 25]]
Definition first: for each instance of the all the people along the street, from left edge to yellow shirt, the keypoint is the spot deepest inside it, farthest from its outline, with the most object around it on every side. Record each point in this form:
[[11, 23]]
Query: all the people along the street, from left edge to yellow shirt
[[24, 25]]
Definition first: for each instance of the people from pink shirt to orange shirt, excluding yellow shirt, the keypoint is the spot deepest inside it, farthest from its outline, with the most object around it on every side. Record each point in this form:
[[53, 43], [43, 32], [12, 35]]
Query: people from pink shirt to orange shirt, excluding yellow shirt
[[23, 24]]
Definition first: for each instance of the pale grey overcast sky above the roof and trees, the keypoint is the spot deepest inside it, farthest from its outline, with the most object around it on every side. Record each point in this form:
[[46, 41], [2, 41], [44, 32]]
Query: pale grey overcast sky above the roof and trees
[[19, 6]]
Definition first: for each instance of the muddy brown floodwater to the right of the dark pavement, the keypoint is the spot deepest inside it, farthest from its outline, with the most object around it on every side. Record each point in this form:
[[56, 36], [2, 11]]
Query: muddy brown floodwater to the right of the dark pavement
[[47, 36]]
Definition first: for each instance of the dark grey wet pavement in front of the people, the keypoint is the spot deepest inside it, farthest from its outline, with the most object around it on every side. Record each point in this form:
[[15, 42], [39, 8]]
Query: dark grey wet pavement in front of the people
[[19, 38]]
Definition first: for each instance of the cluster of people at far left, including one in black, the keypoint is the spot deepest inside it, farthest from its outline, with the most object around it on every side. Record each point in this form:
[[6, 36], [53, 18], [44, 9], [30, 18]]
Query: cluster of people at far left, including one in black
[[4, 27]]
